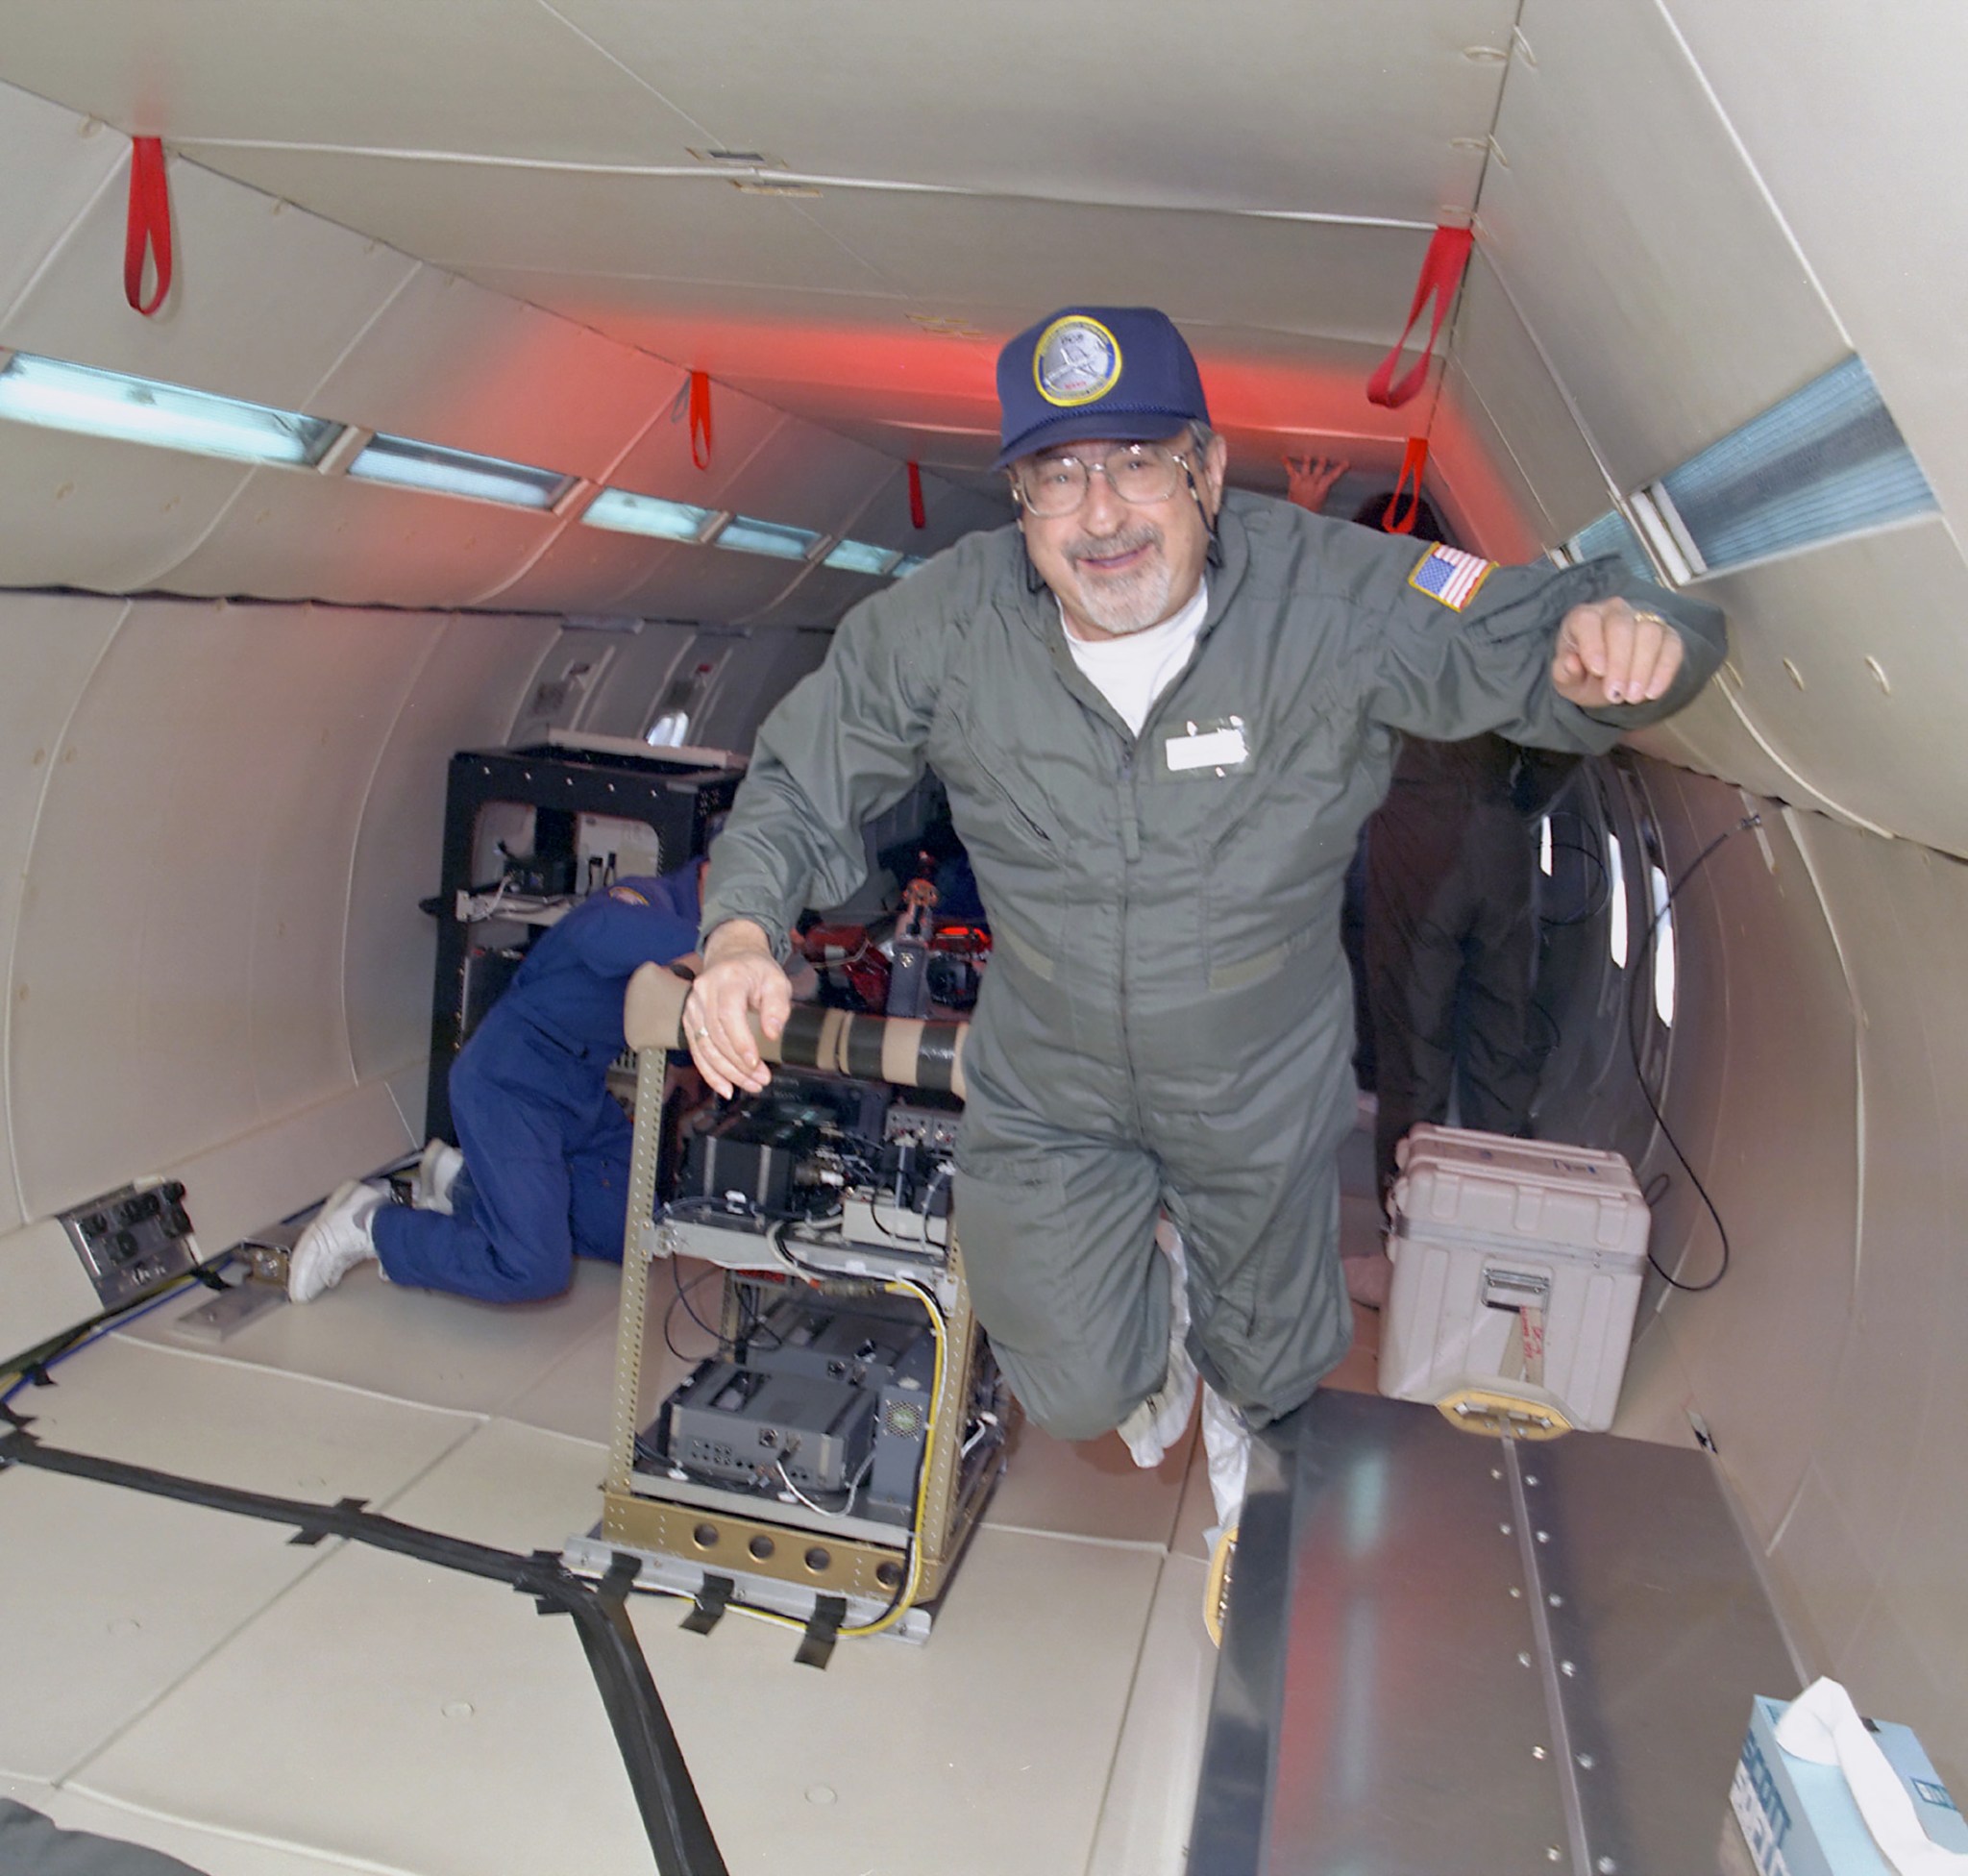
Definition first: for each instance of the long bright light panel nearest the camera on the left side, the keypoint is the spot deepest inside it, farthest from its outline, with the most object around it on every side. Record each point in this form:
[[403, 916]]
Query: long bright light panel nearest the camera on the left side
[[139, 410]]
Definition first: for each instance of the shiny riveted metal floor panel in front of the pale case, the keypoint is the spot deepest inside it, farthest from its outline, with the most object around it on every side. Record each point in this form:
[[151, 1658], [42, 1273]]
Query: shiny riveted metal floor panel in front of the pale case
[[1451, 1657]]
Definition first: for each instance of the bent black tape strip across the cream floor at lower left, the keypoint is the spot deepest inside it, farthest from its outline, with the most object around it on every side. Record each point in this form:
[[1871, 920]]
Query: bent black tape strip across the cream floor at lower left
[[672, 1812]]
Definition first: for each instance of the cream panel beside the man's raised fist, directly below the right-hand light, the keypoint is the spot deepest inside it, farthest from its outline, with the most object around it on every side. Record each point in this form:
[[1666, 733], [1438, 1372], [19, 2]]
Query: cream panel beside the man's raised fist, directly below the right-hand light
[[1876, 635]]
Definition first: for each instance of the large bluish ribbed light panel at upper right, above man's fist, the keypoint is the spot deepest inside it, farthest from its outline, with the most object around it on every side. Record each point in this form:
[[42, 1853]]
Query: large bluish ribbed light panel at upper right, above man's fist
[[1823, 464]]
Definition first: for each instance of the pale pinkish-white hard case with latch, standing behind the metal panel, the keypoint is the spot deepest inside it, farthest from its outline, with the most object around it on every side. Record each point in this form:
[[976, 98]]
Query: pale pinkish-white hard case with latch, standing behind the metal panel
[[1516, 1275]]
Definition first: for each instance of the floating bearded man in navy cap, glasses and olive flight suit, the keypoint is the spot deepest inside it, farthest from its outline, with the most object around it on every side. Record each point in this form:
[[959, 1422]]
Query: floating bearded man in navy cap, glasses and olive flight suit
[[1162, 714]]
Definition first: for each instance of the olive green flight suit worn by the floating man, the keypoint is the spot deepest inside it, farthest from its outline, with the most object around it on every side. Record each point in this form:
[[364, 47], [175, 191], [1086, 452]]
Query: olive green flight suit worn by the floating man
[[1168, 1019]]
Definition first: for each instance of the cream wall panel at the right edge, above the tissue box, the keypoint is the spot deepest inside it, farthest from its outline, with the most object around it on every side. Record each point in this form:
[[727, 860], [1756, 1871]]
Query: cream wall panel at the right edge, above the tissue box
[[1878, 1540]]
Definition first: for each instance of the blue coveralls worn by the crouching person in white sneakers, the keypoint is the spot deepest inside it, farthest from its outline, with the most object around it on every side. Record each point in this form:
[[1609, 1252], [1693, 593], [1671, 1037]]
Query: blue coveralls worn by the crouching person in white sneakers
[[546, 1145]]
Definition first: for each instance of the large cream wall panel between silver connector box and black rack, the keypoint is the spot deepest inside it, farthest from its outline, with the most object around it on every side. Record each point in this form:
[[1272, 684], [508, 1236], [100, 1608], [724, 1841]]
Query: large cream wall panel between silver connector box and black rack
[[190, 889]]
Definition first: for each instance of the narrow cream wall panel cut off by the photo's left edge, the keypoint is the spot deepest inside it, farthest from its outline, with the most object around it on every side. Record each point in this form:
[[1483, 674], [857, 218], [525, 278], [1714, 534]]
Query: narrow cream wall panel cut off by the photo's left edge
[[54, 645]]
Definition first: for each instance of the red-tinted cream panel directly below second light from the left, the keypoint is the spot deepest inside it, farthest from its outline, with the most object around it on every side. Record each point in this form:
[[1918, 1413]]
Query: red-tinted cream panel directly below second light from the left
[[359, 544]]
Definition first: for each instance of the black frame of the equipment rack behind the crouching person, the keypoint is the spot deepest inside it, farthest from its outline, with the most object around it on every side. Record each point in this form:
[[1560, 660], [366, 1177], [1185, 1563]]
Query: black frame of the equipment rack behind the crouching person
[[562, 784]]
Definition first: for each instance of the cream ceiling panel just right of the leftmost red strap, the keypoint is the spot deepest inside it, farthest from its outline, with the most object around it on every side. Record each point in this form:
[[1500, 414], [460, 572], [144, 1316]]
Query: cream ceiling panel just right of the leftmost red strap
[[465, 216]]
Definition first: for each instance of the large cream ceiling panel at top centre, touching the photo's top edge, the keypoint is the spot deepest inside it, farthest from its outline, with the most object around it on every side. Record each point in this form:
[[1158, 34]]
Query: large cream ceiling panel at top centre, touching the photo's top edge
[[1335, 109]]
